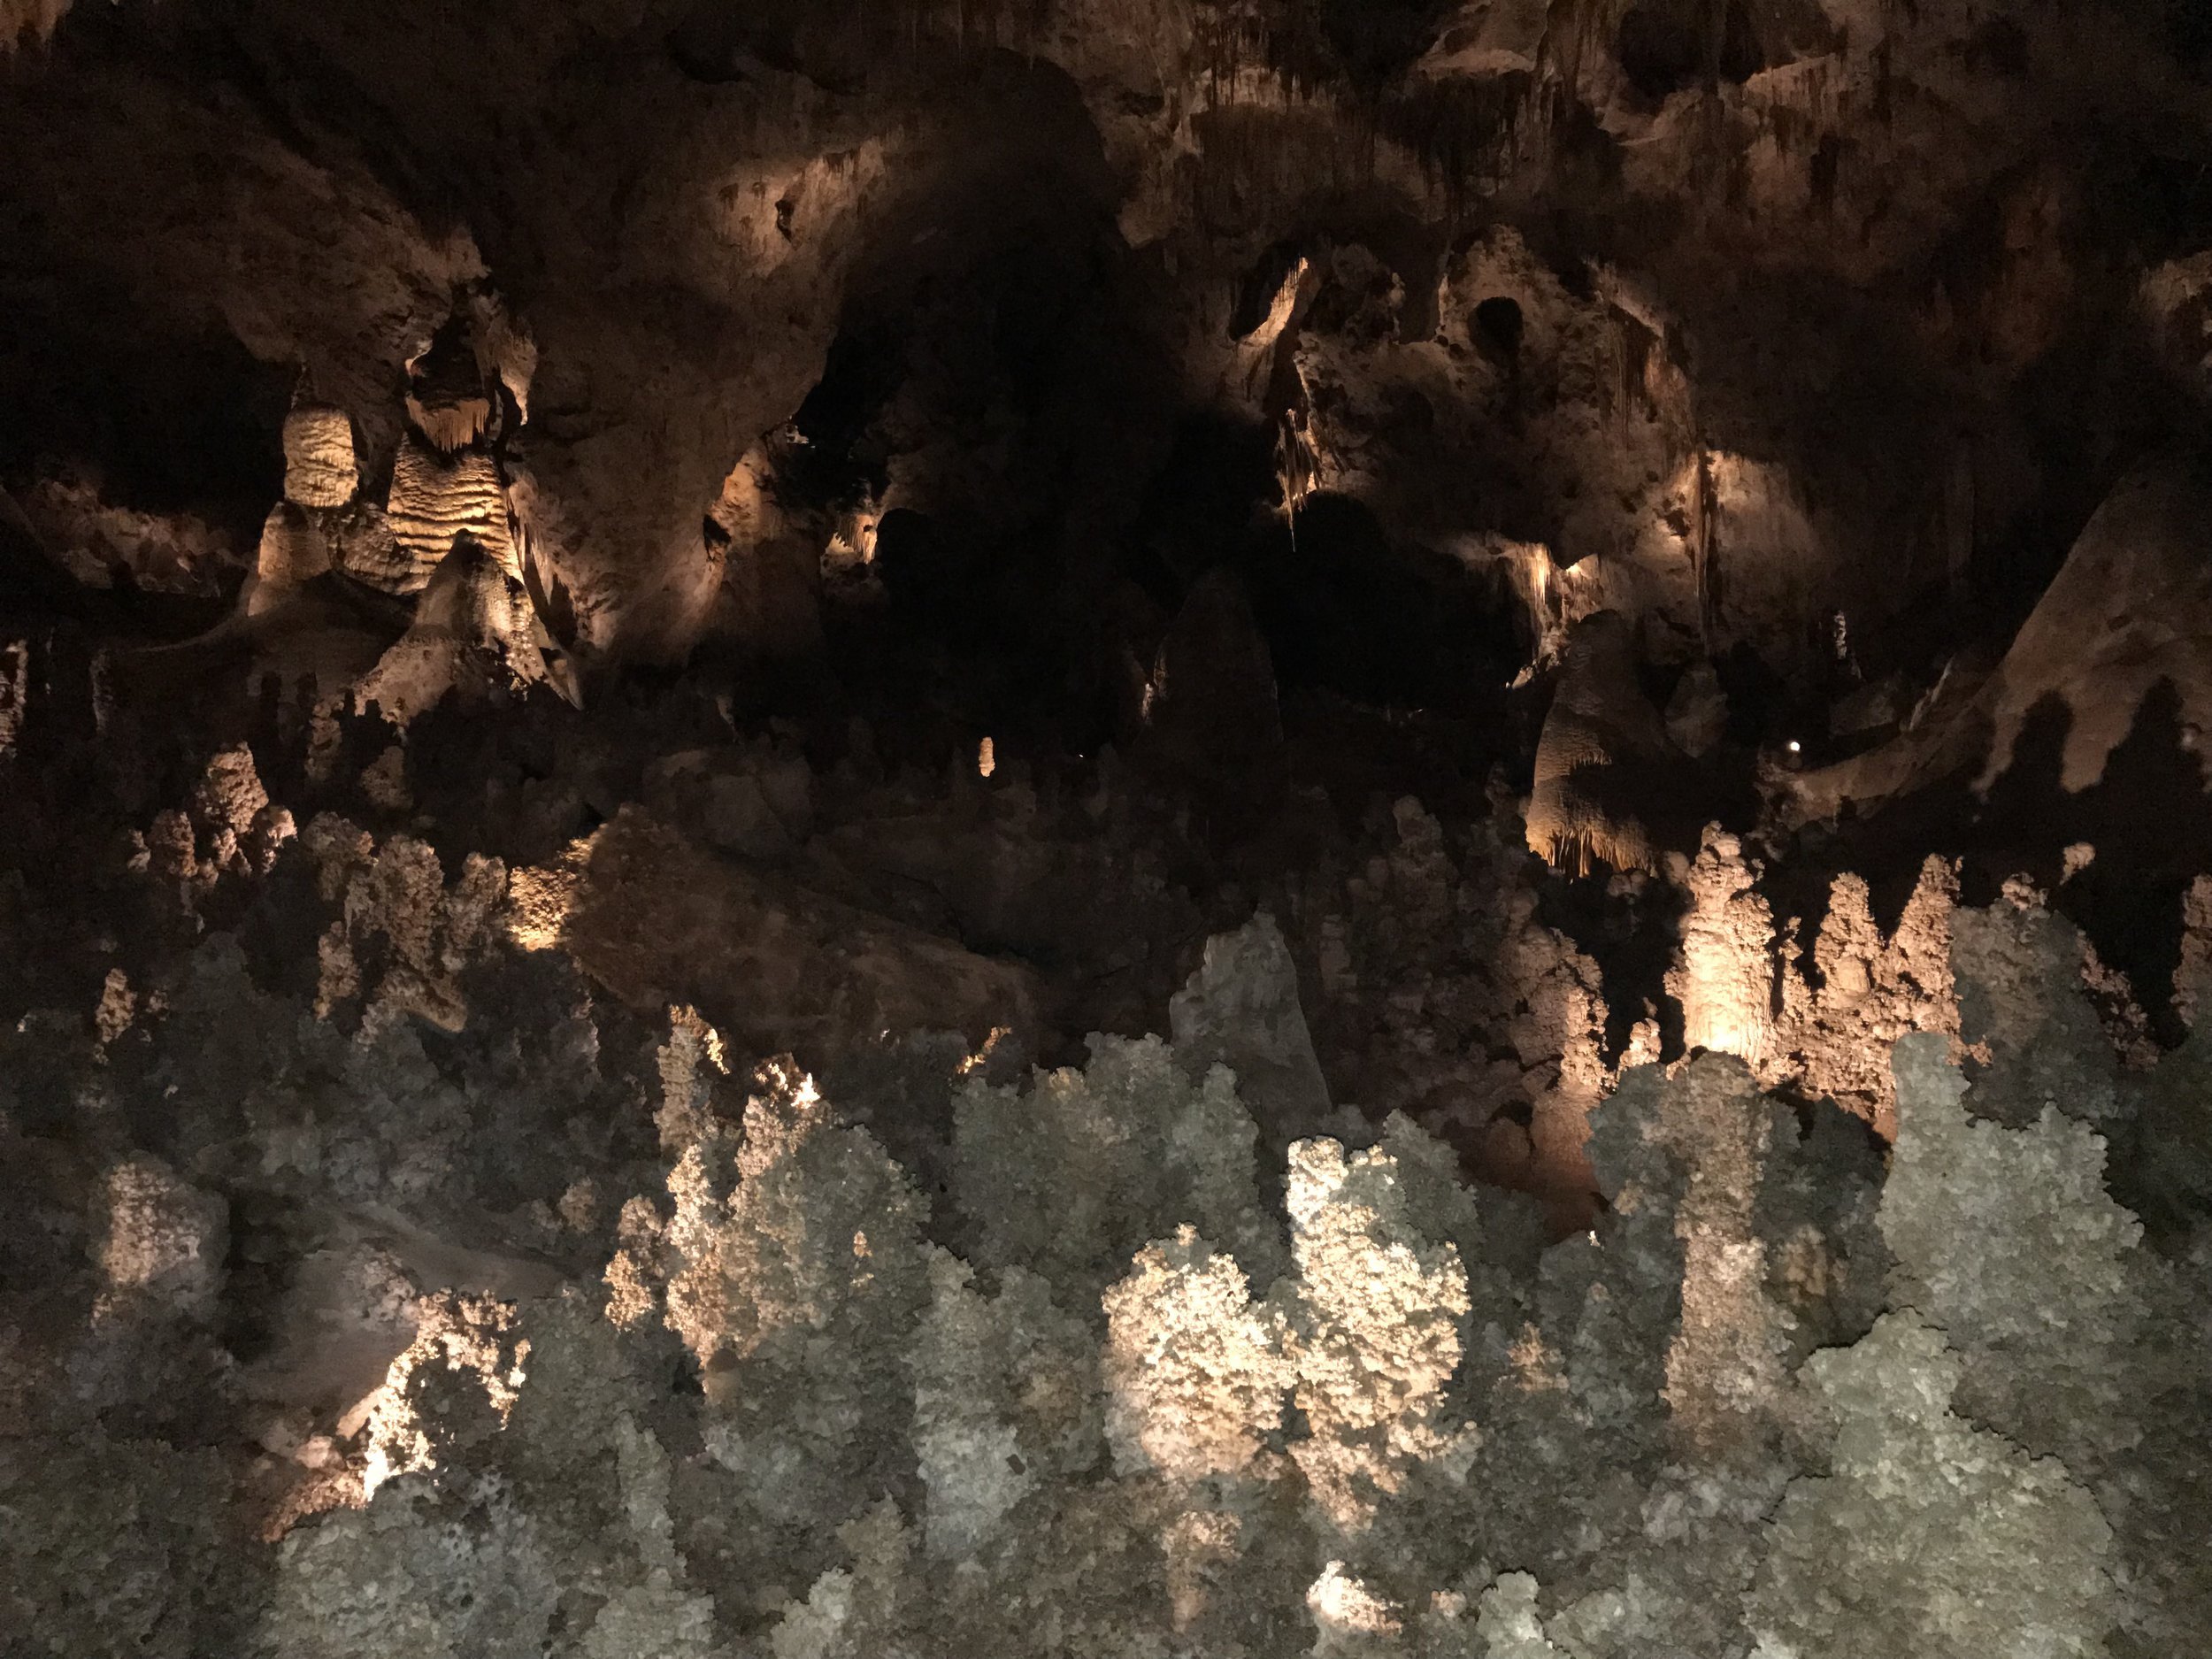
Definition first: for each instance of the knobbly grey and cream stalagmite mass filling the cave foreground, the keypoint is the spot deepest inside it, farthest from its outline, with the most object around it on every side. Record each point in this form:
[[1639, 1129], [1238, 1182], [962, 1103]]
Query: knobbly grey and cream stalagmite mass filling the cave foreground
[[552, 1344]]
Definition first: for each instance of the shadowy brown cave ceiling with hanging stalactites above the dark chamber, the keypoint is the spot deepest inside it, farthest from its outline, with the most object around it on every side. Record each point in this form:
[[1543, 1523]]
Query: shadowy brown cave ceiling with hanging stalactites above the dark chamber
[[1749, 313]]
